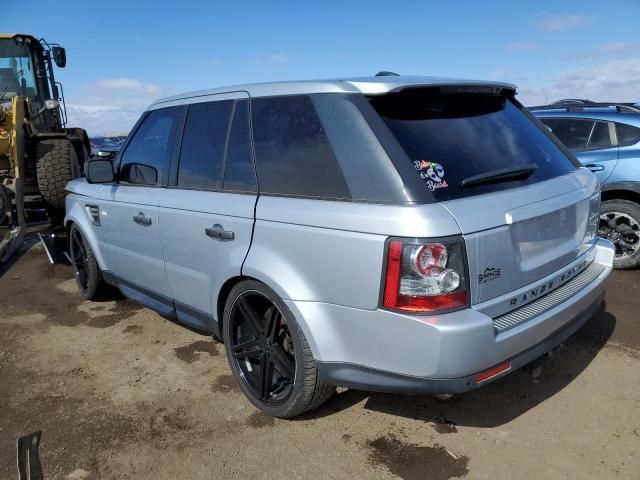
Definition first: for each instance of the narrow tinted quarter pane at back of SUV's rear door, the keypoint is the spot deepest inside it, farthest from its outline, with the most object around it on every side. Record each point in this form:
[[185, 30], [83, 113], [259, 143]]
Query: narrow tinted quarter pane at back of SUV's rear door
[[238, 167]]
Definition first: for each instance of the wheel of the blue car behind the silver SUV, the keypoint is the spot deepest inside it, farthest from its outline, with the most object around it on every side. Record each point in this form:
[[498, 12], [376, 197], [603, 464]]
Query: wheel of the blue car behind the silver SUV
[[620, 223]]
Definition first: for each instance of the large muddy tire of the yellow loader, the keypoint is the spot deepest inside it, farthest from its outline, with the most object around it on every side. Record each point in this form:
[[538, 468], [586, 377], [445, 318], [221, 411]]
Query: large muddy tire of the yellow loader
[[56, 165]]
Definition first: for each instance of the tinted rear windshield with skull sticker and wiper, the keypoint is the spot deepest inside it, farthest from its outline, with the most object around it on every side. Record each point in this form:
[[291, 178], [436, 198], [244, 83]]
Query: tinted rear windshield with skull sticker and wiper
[[450, 137]]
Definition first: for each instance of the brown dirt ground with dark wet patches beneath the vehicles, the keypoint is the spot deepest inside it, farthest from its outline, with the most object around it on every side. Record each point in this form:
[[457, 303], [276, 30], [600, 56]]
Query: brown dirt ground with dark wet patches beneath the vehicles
[[120, 392]]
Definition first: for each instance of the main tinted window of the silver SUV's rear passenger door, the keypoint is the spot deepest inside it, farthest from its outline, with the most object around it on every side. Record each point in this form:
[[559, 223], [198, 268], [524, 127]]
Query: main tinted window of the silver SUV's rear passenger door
[[203, 142]]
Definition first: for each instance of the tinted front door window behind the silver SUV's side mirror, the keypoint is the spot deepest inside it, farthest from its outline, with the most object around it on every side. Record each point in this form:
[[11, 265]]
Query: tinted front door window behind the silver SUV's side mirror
[[146, 159]]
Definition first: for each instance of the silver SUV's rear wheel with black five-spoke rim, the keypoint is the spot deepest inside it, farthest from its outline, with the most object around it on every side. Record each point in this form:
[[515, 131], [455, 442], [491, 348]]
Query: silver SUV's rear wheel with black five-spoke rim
[[269, 354]]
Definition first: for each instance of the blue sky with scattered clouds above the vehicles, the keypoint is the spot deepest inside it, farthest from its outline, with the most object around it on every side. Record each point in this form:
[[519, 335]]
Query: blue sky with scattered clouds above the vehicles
[[122, 55]]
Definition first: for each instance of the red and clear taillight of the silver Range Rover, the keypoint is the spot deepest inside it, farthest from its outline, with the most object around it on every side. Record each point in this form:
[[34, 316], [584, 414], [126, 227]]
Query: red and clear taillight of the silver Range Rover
[[425, 276]]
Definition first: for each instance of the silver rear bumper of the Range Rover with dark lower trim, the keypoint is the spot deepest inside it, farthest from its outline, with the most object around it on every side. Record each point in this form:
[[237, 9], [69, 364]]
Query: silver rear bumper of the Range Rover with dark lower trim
[[386, 351]]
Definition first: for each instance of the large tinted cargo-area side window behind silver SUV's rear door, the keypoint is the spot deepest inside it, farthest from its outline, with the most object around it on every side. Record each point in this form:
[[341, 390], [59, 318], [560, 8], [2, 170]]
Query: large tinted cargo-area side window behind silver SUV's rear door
[[293, 154]]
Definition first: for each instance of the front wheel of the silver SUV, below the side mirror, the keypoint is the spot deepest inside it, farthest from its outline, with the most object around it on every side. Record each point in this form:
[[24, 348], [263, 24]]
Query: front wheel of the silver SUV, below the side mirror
[[85, 267]]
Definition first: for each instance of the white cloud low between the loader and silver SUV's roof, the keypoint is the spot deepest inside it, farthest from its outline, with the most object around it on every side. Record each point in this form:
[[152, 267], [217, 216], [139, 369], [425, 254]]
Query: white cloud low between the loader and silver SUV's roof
[[111, 104]]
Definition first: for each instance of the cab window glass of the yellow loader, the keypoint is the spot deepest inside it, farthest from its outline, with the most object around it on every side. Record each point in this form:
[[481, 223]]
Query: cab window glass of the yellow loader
[[16, 70]]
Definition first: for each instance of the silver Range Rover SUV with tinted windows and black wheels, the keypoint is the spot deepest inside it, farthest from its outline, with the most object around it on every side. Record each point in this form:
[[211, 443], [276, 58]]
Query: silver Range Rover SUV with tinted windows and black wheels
[[399, 234]]
